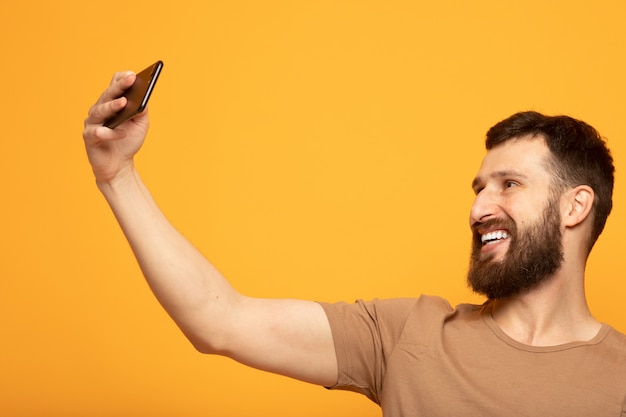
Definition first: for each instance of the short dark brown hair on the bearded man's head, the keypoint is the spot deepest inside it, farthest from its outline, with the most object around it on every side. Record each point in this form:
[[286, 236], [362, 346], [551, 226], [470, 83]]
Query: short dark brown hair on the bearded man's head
[[579, 156]]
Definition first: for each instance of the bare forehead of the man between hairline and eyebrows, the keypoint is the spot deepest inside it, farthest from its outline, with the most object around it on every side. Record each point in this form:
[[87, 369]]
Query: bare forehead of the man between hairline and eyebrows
[[526, 155]]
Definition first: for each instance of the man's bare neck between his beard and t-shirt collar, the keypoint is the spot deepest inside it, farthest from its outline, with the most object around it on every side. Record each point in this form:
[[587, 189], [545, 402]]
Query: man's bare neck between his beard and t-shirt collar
[[554, 313]]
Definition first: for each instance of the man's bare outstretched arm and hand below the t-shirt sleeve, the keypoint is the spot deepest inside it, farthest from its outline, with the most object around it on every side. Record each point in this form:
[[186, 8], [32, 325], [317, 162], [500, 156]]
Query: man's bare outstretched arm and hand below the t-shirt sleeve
[[288, 337]]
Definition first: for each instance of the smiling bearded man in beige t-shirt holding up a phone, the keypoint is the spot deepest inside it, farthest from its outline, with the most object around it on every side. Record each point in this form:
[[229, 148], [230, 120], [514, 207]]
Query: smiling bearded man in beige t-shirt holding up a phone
[[543, 193]]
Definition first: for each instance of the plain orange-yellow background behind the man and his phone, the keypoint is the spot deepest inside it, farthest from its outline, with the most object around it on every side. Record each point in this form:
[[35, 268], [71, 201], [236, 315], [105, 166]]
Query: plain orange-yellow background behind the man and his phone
[[320, 150]]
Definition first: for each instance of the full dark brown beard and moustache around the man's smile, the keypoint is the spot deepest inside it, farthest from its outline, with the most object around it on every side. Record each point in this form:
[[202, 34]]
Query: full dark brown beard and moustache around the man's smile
[[533, 256]]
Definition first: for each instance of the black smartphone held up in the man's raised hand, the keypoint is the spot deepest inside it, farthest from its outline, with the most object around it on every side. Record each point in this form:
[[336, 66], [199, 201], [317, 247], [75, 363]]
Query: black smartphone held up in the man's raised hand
[[137, 95]]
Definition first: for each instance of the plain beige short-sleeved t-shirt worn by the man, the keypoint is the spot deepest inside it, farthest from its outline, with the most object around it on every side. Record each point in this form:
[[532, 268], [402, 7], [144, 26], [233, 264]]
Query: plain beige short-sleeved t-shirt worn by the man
[[421, 357]]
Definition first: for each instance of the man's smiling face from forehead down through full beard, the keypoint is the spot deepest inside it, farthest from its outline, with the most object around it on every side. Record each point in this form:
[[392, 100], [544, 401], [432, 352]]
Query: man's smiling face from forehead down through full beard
[[515, 220]]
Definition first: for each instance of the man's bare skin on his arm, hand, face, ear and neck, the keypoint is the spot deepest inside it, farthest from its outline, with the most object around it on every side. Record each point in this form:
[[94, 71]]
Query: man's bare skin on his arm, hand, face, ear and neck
[[292, 337]]
